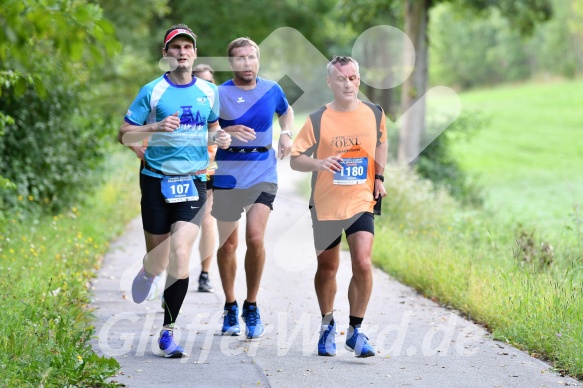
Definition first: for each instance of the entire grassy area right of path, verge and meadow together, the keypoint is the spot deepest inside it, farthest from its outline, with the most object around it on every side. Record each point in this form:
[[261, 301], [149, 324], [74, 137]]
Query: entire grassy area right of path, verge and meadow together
[[490, 263]]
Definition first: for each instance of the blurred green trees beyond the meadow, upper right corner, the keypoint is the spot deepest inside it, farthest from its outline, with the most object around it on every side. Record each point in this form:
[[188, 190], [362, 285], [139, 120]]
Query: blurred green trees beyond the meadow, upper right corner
[[469, 50]]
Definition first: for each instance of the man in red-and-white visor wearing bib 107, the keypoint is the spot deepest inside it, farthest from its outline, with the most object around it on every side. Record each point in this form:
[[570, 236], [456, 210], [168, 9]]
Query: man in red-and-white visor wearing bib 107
[[176, 112]]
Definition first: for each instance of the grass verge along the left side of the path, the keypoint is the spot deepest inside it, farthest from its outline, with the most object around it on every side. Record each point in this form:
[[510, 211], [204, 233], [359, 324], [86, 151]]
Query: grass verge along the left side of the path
[[47, 265]]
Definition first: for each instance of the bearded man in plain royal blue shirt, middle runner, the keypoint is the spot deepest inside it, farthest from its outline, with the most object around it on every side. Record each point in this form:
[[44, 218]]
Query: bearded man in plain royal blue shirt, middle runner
[[246, 178]]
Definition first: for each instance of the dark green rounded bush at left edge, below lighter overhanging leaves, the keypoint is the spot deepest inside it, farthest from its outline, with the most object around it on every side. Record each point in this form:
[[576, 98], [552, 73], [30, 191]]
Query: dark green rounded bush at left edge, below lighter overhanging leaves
[[53, 145]]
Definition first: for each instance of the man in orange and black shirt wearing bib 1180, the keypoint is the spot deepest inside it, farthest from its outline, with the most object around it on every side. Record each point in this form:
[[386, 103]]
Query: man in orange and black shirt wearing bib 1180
[[350, 151]]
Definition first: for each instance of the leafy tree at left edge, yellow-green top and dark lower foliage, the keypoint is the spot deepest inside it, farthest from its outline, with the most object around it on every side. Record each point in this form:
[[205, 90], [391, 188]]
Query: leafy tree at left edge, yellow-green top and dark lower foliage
[[49, 134]]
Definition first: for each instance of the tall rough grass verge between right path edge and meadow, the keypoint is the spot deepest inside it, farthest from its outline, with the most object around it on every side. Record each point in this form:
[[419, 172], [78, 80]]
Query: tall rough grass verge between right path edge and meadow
[[469, 261]]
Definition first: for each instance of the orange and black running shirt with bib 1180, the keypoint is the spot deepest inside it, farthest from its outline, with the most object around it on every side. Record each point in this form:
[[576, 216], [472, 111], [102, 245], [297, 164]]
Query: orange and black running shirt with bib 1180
[[353, 137]]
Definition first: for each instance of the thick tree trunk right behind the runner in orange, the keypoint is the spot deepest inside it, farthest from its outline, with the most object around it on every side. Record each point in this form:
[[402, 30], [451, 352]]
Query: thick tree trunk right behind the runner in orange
[[412, 103]]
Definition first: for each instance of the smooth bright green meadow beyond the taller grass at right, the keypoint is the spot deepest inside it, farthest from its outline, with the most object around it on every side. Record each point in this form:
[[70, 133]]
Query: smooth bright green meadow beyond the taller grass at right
[[530, 155]]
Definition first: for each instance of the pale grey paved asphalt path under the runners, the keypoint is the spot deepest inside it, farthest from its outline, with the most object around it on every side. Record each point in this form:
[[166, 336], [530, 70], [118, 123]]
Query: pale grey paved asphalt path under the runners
[[418, 343]]
